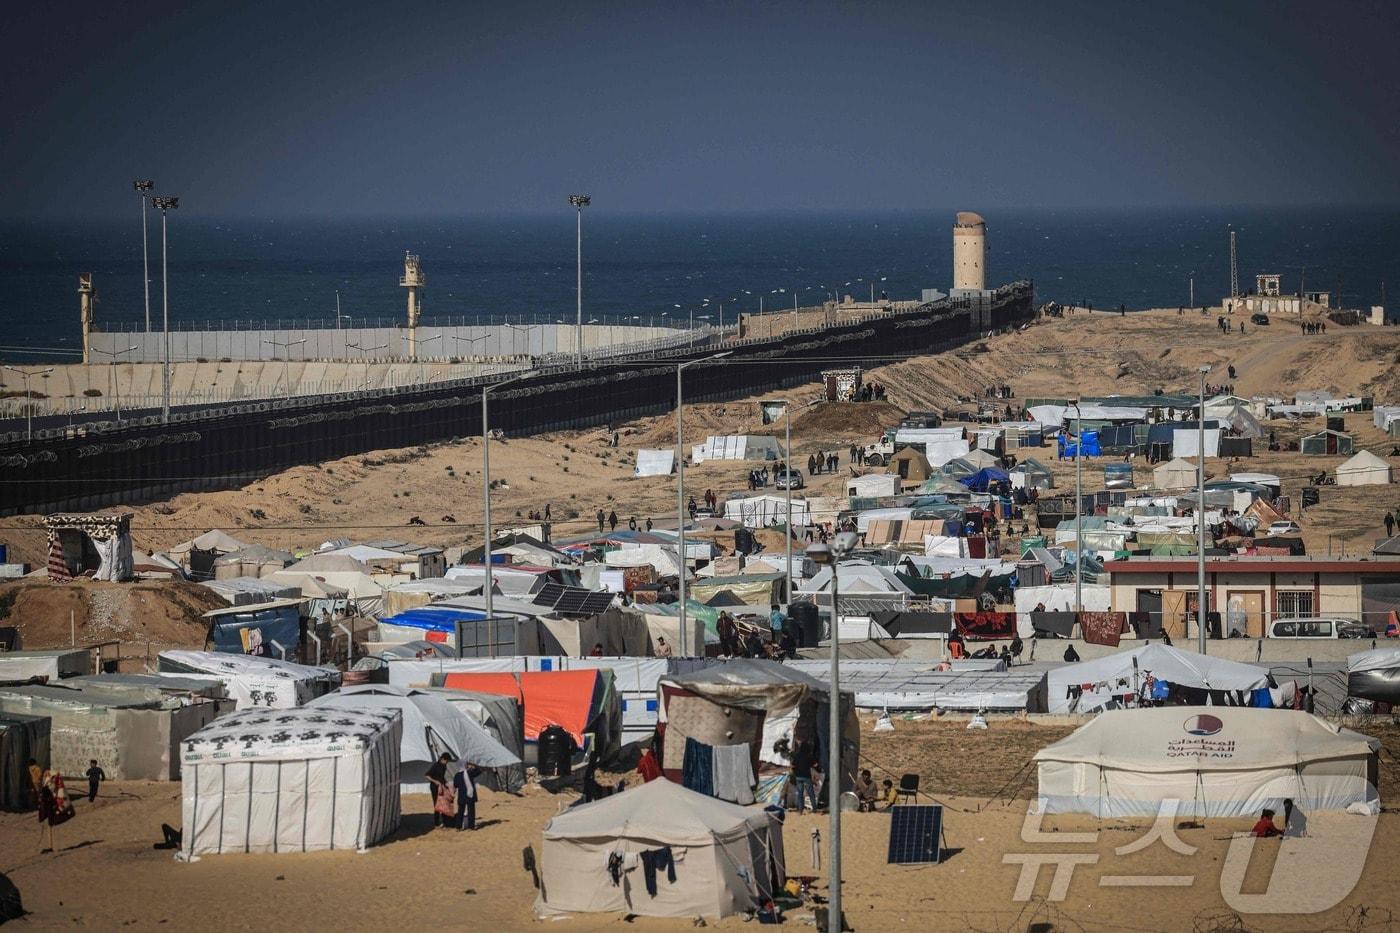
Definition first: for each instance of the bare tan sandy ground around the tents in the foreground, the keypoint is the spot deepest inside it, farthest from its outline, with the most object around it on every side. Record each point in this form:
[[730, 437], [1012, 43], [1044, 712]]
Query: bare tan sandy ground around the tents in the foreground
[[107, 876]]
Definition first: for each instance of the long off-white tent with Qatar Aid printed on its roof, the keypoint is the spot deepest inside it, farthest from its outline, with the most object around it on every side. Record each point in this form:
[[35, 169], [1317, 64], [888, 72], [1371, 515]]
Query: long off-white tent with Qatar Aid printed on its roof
[[1223, 761]]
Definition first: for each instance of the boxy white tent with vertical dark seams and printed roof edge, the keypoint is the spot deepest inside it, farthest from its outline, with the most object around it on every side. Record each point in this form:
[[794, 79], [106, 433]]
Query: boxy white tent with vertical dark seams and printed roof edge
[[293, 781]]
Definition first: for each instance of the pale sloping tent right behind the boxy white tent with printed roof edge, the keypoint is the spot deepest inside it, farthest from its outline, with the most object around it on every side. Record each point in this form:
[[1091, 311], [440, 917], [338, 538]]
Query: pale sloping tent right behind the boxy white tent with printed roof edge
[[432, 726]]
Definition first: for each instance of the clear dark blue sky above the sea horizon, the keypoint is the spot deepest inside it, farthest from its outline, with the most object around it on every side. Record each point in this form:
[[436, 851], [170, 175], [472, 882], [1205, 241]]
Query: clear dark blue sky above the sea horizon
[[353, 109]]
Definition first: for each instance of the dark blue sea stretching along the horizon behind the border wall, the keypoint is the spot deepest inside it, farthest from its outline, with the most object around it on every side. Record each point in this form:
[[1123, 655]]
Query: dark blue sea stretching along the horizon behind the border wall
[[653, 267]]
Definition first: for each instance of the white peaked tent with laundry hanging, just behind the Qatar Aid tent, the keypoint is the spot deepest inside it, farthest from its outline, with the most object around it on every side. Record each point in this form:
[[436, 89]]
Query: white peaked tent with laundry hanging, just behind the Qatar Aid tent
[[1164, 663]]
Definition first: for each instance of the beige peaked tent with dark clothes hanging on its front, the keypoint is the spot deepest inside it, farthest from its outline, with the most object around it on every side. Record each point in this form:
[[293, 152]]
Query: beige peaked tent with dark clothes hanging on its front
[[727, 858]]
